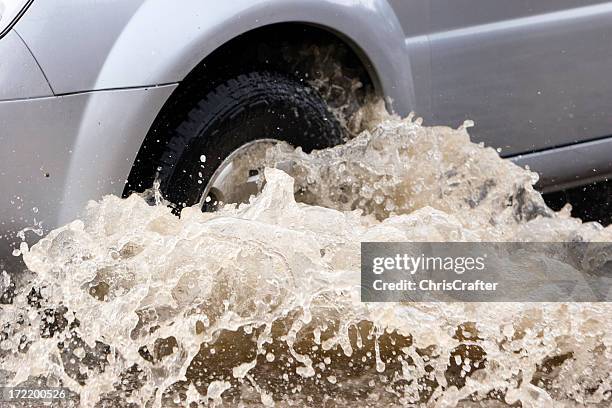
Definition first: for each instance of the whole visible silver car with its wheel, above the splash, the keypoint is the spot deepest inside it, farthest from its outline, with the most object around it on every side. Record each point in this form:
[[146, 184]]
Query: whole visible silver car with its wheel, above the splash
[[105, 96]]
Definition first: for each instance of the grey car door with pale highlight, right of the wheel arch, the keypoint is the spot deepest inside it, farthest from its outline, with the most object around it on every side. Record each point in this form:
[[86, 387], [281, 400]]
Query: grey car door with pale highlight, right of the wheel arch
[[532, 74]]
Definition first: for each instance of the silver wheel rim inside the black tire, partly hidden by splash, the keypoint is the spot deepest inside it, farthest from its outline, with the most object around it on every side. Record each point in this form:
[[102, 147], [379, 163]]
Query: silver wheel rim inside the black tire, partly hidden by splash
[[238, 176]]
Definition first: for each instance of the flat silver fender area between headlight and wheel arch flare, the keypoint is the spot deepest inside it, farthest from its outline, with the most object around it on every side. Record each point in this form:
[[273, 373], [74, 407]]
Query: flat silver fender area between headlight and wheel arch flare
[[71, 39]]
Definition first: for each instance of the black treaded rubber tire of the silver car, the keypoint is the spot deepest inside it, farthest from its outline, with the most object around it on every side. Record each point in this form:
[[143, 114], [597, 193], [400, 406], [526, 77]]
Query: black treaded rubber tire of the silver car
[[237, 111]]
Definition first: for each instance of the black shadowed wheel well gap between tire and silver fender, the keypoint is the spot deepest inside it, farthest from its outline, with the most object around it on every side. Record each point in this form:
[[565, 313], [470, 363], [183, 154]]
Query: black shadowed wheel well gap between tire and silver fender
[[231, 57]]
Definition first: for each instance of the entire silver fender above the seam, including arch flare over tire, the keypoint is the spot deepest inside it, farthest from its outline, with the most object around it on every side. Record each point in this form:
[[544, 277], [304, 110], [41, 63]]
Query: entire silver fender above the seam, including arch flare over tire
[[134, 43]]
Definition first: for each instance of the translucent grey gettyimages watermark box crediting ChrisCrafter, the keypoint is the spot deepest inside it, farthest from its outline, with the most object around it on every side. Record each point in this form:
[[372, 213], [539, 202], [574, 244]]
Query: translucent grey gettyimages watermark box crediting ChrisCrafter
[[486, 272]]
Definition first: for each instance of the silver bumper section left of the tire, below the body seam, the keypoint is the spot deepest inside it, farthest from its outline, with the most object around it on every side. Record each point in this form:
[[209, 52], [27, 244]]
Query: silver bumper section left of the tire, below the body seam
[[59, 152]]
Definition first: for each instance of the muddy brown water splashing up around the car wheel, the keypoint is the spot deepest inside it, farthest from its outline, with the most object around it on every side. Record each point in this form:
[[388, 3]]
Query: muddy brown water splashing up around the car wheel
[[259, 304]]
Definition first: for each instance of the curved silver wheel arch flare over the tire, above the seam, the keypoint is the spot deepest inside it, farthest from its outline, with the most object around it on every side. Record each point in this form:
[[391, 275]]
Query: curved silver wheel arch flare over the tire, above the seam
[[178, 38]]
